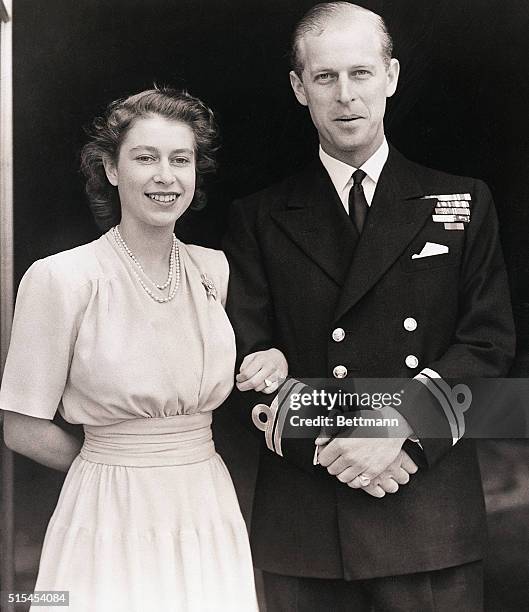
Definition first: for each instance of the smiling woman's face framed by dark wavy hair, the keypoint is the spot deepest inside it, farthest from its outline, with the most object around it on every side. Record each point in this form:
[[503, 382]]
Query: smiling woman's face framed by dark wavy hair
[[155, 171]]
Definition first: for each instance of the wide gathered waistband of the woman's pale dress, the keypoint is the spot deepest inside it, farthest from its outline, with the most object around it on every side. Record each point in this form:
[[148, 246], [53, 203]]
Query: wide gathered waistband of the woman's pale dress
[[151, 442]]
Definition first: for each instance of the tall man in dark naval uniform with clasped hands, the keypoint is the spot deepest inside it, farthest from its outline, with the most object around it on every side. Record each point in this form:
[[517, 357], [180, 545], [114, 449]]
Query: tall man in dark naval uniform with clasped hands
[[395, 271]]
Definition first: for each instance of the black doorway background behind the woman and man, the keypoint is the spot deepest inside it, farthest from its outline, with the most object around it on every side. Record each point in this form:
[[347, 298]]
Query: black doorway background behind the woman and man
[[461, 106]]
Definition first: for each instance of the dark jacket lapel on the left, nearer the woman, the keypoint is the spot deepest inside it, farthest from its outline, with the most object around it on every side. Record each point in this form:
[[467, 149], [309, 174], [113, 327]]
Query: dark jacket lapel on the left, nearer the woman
[[315, 219]]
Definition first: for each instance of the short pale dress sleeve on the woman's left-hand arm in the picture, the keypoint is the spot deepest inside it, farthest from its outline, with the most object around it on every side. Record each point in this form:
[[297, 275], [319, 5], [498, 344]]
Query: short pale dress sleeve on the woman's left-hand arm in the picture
[[42, 340]]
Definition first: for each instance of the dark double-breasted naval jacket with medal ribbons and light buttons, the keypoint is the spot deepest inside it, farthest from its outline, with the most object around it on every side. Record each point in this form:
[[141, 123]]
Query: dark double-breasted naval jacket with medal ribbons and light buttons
[[342, 306]]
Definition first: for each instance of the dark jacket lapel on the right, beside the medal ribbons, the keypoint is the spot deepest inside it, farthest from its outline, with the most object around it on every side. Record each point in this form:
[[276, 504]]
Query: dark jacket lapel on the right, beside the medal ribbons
[[395, 217]]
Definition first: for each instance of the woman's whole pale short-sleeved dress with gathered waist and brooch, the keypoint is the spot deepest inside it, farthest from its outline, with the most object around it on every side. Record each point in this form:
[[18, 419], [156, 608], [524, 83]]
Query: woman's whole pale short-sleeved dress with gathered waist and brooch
[[147, 519]]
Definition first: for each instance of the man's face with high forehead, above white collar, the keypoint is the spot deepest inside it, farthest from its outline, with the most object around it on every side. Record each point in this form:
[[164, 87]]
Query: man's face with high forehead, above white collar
[[345, 83]]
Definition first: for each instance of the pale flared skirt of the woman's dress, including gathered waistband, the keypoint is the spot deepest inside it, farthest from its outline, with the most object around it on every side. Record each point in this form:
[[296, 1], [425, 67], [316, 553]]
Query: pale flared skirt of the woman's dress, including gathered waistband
[[148, 521]]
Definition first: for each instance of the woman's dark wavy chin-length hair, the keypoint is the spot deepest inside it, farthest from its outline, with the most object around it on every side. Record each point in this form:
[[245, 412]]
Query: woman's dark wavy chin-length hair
[[108, 132]]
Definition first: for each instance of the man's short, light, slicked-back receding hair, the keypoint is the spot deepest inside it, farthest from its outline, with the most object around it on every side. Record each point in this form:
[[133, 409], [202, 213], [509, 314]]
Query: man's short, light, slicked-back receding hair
[[315, 20]]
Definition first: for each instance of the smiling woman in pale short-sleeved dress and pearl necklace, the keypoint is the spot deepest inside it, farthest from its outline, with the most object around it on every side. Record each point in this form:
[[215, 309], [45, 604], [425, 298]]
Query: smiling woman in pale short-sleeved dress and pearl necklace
[[129, 337]]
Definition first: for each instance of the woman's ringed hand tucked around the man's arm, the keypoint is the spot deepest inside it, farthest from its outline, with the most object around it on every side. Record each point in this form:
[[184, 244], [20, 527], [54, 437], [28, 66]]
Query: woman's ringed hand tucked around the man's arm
[[262, 371]]
